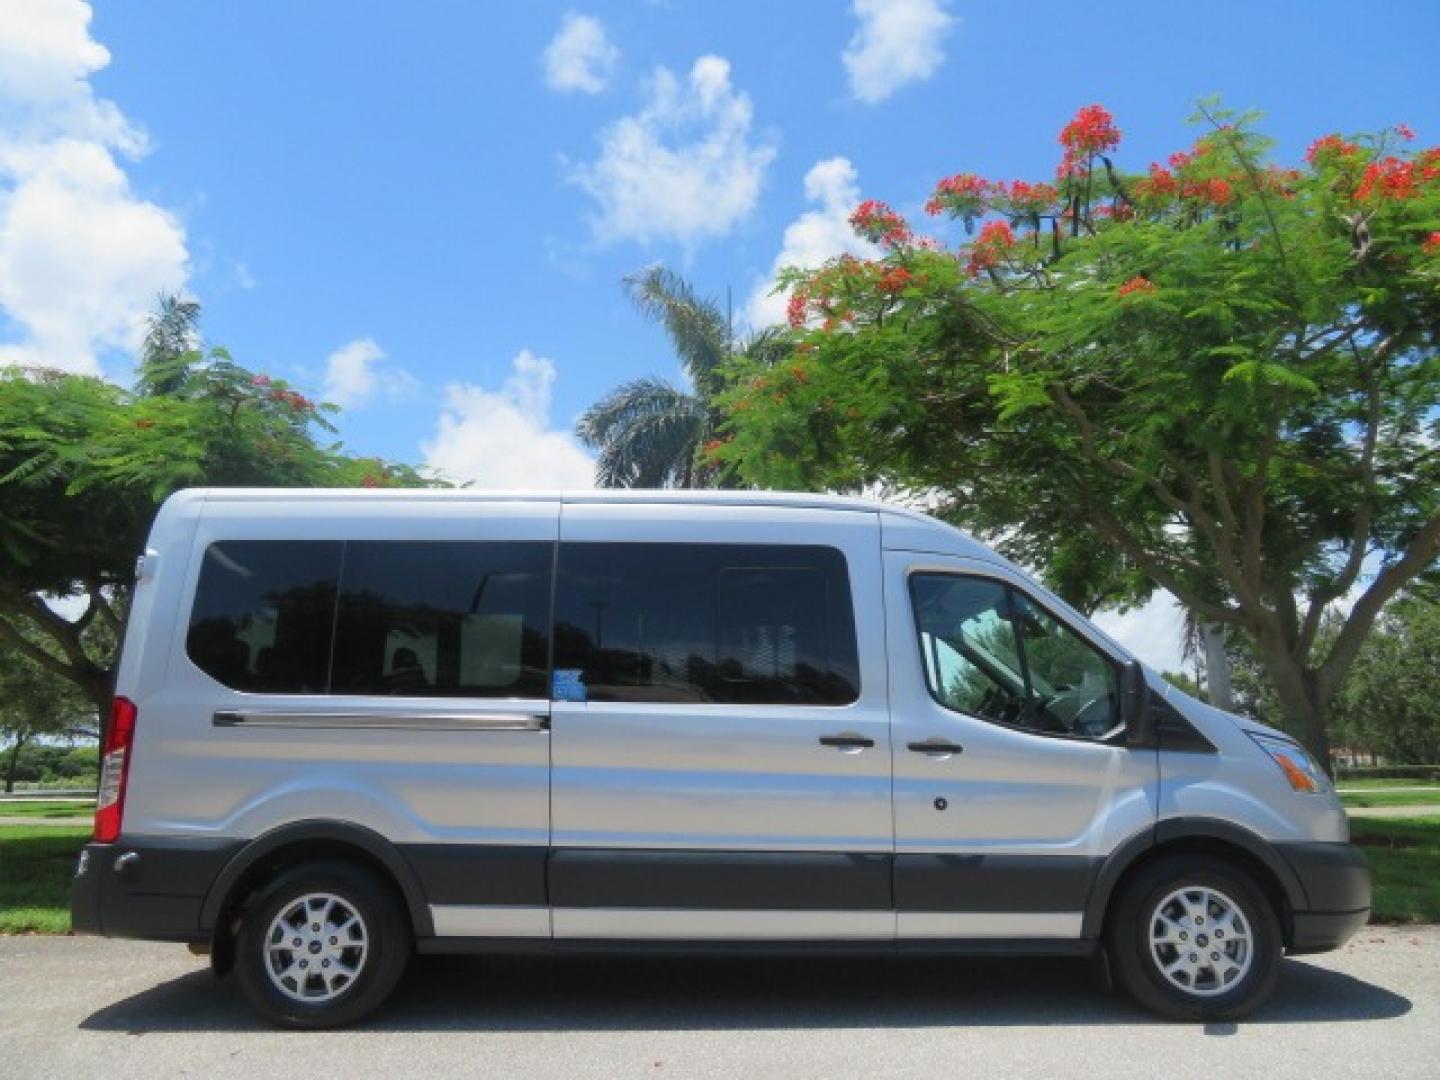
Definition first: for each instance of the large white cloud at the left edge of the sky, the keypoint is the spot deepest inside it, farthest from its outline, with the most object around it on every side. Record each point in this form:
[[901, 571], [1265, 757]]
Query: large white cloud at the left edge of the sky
[[81, 256]]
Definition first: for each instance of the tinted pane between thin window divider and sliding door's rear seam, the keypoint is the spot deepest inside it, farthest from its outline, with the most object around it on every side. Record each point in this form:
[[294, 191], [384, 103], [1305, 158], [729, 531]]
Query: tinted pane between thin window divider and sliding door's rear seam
[[451, 620]]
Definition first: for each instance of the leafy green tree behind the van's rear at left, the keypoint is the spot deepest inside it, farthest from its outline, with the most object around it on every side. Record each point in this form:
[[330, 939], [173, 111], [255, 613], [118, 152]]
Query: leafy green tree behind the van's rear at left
[[84, 464]]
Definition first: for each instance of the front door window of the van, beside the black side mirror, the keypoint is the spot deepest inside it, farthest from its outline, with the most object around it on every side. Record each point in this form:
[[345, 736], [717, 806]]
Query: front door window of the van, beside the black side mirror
[[1045, 679]]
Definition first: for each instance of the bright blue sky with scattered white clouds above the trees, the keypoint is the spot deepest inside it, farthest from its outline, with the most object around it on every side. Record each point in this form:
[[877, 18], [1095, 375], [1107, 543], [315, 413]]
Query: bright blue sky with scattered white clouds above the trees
[[411, 208]]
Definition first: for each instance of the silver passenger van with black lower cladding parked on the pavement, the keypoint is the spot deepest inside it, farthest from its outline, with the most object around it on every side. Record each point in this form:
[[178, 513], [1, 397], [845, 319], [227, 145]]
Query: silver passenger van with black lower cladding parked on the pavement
[[352, 725]]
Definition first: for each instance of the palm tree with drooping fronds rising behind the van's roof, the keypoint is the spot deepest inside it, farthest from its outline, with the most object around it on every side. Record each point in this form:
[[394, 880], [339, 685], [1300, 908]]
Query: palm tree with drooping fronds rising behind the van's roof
[[652, 434]]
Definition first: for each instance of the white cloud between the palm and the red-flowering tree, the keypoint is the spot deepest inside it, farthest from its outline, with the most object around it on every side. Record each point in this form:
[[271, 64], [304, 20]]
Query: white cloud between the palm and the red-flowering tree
[[816, 237]]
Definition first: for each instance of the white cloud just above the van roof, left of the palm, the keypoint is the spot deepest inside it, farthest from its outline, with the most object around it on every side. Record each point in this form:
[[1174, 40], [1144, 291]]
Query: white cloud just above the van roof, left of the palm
[[503, 438]]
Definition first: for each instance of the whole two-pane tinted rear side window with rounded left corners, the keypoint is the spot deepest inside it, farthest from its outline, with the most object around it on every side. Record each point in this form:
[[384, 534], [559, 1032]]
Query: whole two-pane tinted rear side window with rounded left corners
[[430, 620]]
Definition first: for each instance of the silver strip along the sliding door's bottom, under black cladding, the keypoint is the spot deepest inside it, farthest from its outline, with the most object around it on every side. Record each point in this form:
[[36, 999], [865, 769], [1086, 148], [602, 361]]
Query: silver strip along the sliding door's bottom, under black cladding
[[686, 925]]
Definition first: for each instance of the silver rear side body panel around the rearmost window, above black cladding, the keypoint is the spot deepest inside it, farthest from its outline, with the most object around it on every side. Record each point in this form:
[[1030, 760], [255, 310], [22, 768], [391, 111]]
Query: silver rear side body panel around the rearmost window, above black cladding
[[414, 781]]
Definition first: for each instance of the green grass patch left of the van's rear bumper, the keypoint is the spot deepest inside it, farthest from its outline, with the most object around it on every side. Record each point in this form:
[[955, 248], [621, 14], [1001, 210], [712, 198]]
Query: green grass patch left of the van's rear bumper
[[37, 865]]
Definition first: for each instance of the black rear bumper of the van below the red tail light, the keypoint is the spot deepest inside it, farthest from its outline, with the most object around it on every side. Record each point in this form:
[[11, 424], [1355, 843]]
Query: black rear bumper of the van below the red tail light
[[152, 891]]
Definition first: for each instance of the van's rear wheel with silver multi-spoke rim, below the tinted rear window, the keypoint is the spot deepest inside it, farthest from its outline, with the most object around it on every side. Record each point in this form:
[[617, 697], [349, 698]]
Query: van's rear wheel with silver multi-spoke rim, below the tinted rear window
[[322, 947]]
